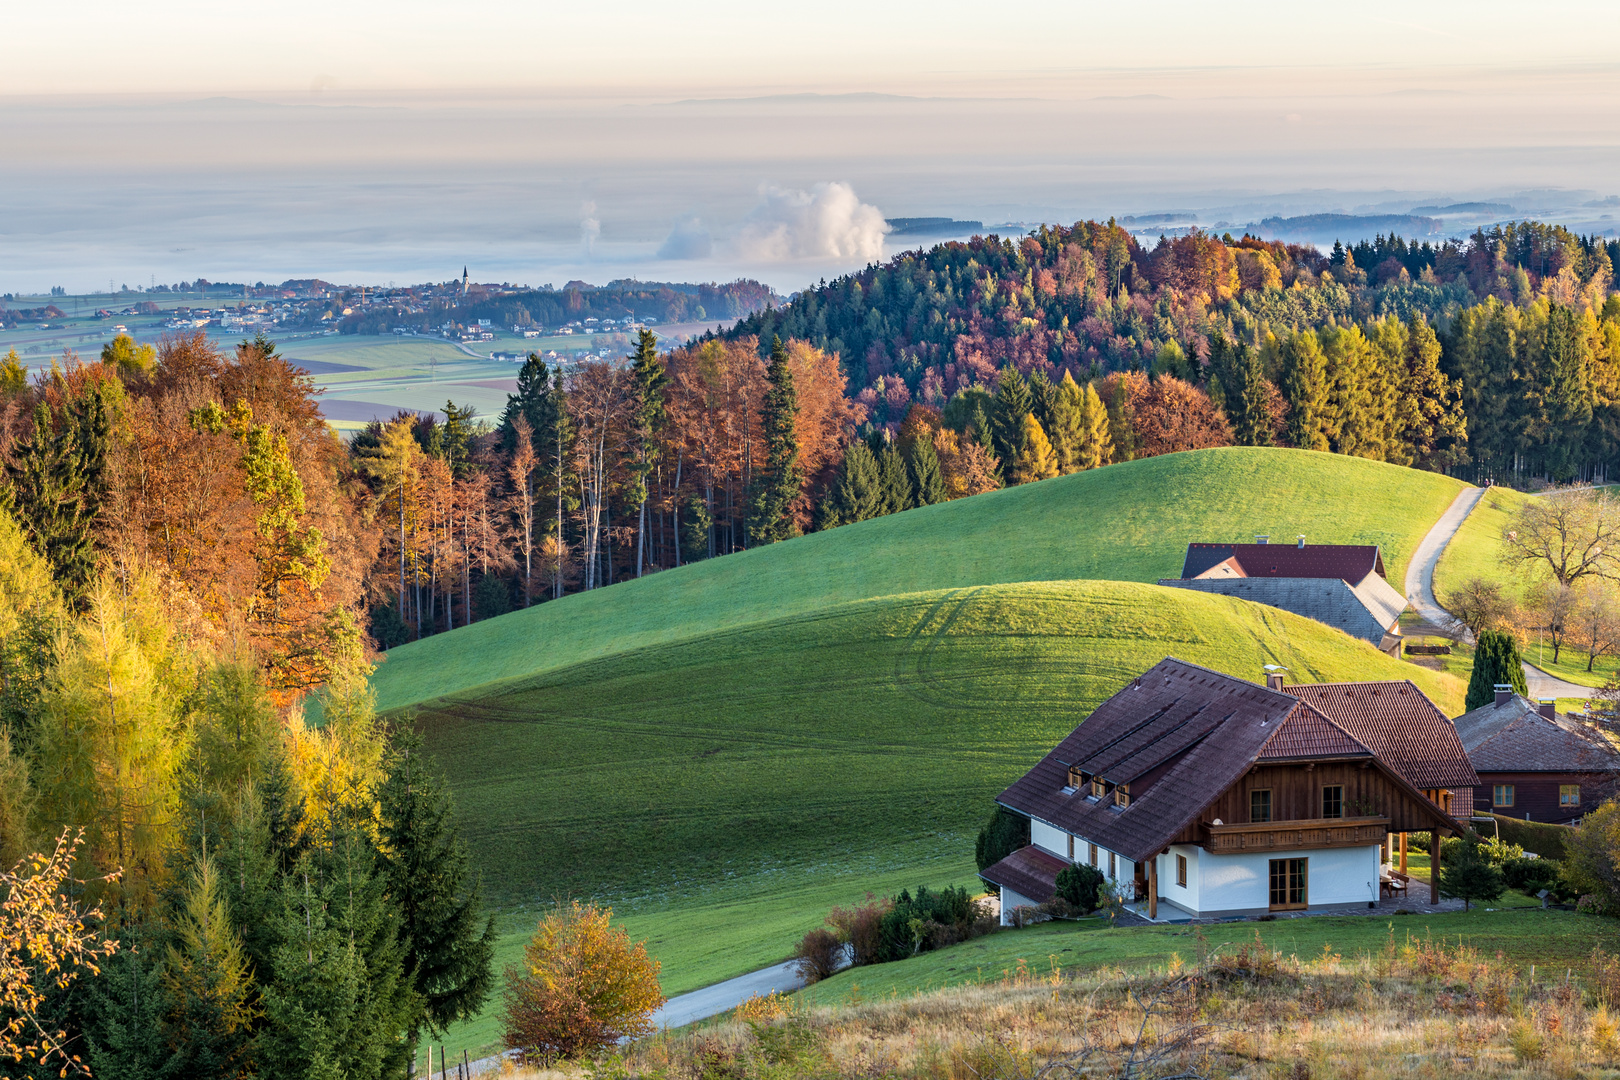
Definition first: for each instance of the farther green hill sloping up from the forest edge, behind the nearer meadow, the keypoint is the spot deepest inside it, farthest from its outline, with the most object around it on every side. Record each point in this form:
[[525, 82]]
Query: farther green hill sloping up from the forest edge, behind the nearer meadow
[[1125, 522]]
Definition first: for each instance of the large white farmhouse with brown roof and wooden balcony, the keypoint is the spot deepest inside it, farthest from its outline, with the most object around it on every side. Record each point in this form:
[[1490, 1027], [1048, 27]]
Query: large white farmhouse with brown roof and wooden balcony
[[1224, 797]]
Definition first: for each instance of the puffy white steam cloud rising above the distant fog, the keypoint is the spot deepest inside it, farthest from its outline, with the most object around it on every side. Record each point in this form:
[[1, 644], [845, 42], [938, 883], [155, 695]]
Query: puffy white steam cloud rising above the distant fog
[[827, 223]]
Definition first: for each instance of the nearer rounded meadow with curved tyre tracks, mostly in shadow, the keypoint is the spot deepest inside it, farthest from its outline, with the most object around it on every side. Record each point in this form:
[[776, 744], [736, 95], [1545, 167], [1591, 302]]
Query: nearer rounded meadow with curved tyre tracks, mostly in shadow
[[725, 793]]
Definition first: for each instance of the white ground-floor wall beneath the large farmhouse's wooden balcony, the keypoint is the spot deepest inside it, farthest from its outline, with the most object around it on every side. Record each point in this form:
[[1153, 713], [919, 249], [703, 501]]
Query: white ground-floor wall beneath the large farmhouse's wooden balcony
[[1230, 883]]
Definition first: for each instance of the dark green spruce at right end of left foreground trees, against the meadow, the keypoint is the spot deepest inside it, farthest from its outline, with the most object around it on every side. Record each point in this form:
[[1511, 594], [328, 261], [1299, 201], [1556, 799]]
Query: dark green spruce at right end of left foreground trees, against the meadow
[[448, 940]]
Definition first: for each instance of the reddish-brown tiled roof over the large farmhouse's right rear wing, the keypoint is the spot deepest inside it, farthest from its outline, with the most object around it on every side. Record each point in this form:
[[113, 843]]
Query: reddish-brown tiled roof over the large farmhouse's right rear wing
[[1399, 725]]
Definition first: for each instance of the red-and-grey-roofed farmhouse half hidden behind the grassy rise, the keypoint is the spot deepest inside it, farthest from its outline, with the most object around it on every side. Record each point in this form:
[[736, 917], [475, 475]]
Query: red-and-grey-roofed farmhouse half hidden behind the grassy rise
[[1341, 585]]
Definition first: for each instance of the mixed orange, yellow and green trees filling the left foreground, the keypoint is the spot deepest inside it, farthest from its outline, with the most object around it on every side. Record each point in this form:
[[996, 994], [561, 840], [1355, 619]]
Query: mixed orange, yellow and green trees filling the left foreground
[[182, 563]]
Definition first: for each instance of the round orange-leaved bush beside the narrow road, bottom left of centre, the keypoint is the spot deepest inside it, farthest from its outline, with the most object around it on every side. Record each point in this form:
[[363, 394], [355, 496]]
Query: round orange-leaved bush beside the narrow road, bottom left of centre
[[582, 987]]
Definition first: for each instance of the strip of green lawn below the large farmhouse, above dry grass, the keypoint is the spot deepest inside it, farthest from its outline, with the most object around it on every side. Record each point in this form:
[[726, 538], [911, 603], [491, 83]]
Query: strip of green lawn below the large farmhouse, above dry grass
[[1553, 942]]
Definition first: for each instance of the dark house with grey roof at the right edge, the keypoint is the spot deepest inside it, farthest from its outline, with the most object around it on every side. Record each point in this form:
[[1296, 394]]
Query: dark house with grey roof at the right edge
[[1533, 763]]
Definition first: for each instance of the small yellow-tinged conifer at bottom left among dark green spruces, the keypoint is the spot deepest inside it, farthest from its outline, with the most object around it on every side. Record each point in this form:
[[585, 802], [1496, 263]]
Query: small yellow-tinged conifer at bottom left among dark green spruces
[[210, 985]]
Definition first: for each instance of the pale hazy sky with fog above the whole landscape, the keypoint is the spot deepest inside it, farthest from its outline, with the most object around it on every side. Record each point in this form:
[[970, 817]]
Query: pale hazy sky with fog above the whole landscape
[[542, 143]]
